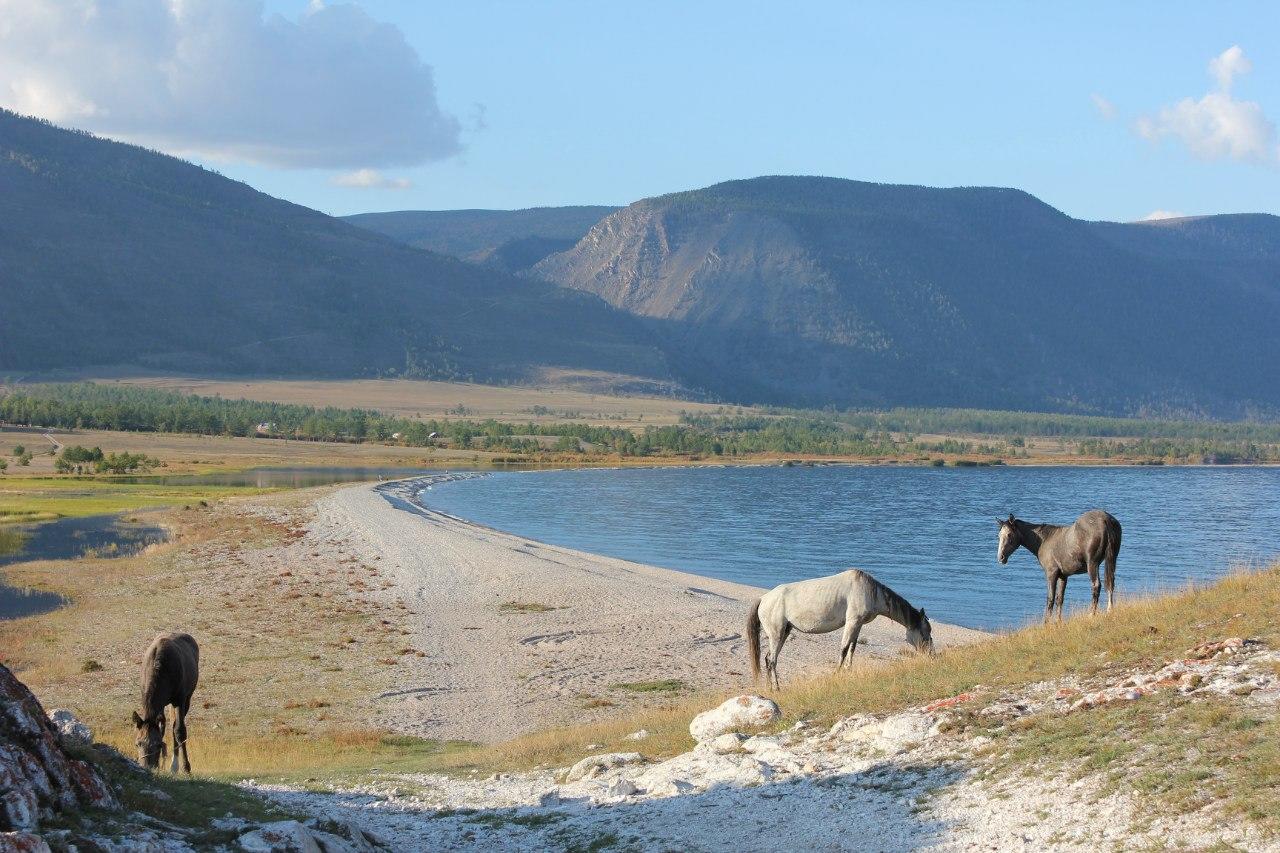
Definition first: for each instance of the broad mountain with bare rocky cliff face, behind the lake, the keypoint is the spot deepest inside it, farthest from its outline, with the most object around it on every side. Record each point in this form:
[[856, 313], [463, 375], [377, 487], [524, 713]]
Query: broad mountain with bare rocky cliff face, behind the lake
[[821, 291]]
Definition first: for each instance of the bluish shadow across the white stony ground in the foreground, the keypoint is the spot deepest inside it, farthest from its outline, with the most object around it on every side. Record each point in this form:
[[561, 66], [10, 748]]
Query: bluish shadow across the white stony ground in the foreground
[[884, 808]]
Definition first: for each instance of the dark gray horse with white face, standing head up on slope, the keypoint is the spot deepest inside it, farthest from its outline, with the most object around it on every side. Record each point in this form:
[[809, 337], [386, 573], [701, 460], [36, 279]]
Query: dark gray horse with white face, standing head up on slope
[[1066, 551]]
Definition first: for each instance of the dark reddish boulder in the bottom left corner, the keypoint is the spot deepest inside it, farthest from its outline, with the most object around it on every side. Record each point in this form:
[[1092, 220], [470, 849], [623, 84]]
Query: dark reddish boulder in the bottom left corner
[[38, 778]]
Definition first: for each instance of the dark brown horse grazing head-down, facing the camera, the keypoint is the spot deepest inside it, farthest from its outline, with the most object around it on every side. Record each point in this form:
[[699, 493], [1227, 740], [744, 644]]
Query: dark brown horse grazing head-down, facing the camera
[[170, 676]]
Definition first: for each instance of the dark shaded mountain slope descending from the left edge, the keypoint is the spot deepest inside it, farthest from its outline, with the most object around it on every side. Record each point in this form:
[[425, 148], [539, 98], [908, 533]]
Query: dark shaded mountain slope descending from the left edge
[[112, 254]]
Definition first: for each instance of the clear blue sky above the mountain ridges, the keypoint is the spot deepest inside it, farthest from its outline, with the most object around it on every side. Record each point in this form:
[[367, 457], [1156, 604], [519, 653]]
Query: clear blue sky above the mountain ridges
[[606, 103]]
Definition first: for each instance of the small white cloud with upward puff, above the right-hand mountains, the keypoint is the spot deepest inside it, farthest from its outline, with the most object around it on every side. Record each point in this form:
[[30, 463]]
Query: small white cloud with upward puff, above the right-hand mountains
[[1218, 126]]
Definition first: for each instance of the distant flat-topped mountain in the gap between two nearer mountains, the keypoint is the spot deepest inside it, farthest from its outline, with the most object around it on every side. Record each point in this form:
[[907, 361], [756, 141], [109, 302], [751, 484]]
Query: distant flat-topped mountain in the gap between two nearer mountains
[[506, 240]]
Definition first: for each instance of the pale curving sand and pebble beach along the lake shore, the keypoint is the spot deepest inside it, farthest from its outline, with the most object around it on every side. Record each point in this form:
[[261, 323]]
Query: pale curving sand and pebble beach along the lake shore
[[492, 673]]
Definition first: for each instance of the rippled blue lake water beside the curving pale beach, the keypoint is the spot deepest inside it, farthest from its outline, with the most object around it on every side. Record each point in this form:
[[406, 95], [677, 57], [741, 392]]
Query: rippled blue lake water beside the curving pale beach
[[929, 533]]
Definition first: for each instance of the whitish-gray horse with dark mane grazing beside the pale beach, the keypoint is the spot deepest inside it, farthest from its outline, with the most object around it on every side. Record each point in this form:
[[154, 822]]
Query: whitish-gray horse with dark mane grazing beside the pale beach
[[819, 606]]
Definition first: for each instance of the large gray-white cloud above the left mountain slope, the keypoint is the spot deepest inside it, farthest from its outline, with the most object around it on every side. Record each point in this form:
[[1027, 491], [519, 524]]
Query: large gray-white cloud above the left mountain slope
[[214, 79]]
